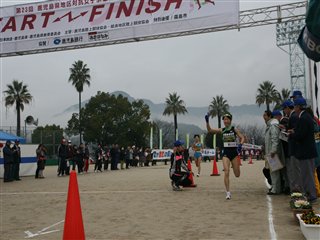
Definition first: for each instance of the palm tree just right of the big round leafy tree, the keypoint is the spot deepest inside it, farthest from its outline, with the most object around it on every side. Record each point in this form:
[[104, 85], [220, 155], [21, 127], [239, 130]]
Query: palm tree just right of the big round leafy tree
[[174, 106]]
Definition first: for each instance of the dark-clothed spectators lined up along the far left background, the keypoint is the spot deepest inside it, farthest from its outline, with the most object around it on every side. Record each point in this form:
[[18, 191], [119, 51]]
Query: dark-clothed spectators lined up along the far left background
[[72, 157]]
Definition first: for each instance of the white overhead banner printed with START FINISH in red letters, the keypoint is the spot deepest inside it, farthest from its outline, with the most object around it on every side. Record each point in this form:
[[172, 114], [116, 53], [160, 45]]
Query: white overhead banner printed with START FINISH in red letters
[[84, 23]]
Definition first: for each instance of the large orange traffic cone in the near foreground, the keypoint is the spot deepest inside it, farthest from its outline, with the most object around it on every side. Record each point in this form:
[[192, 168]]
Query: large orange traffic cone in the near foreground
[[73, 224]]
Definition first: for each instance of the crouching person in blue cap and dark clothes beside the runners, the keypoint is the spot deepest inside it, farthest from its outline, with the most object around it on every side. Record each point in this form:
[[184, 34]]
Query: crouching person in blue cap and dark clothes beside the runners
[[179, 177]]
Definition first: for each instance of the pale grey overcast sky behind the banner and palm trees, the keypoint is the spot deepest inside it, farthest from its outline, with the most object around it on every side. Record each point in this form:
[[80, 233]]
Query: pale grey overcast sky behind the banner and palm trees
[[199, 67]]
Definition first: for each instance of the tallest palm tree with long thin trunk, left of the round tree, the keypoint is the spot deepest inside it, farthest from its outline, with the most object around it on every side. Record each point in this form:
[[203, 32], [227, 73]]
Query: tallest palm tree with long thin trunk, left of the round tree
[[79, 76]]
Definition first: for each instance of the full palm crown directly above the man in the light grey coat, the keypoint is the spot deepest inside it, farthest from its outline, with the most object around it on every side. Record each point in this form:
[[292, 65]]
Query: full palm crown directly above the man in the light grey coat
[[266, 94]]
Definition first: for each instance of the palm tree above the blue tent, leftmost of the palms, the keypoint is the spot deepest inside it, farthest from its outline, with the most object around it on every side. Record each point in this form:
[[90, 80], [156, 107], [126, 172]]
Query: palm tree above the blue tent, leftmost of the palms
[[17, 94]]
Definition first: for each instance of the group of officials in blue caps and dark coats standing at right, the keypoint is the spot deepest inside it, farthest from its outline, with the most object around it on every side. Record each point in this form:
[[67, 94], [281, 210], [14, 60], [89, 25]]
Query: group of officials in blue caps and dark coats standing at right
[[292, 140]]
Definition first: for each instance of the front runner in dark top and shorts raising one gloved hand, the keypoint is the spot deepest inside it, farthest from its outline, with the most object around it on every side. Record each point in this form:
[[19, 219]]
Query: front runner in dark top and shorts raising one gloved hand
[[230, 148]]
